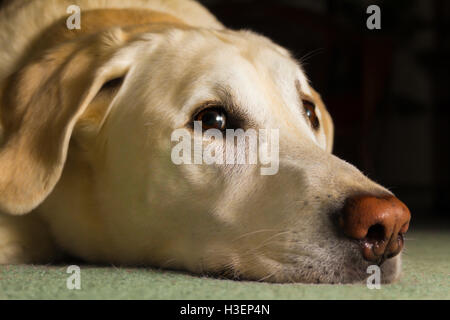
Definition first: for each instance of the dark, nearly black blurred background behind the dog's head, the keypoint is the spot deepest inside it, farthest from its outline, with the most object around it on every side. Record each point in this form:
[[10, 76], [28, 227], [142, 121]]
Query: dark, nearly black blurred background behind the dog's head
[[387, 90]]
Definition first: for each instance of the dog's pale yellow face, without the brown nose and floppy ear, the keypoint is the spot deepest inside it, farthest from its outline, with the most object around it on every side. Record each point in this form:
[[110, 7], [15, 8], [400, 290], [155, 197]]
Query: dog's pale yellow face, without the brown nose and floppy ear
[[206, 218]]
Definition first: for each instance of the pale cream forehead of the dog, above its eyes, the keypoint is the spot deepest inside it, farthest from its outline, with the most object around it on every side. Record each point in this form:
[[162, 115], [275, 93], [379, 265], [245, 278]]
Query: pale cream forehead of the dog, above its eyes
[[204, 65]]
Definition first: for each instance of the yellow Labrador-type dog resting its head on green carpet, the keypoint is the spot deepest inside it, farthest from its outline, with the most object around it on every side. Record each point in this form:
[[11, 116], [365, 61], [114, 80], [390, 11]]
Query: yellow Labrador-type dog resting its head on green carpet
[[87, 118]]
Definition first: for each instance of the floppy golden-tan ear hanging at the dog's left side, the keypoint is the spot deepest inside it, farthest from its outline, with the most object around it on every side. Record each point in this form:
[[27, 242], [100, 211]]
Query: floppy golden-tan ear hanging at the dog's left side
[[39, 106]]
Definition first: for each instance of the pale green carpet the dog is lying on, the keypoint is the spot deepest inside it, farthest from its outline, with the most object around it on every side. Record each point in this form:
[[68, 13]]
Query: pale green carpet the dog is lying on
[[426, 276]]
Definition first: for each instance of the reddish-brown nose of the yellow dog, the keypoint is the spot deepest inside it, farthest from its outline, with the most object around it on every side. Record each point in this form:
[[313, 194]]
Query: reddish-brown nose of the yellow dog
[[379, 224]]
